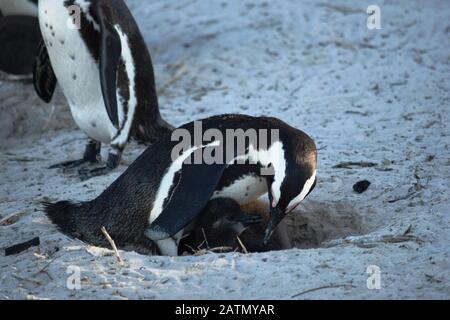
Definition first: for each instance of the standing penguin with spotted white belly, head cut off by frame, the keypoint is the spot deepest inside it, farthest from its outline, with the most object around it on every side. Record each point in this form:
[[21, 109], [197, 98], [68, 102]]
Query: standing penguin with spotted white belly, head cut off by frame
[[94, 50]]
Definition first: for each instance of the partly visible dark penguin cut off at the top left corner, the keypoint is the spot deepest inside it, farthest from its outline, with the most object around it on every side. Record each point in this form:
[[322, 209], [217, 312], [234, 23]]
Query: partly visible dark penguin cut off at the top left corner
[[19, 37]]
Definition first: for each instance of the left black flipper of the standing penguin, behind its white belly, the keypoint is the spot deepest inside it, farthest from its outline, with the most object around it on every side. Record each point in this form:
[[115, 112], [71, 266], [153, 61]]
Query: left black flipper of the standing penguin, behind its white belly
[[44, 78]]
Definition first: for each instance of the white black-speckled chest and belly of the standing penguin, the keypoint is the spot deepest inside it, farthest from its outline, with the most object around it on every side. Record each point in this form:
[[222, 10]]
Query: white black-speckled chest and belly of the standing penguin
[[76, 70]]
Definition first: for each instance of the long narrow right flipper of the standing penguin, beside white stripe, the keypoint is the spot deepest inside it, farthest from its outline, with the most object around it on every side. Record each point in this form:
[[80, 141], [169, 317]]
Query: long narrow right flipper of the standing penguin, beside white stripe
[[110, 55]]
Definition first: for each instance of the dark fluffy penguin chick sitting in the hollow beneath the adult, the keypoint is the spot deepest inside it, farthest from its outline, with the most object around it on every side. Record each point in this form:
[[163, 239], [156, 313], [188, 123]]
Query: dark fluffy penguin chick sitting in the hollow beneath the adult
[[219, 225]]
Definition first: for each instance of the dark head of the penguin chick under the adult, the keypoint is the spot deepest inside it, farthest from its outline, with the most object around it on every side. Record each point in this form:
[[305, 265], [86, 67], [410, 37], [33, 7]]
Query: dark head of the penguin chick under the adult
[[223, 221]]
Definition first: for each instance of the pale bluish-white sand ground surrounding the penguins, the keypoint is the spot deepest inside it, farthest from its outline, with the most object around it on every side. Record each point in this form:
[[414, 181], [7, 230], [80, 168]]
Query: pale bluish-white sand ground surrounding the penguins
[[381, 96]]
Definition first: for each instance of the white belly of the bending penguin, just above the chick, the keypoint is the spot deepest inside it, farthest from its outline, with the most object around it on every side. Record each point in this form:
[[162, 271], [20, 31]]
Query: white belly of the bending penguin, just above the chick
[[244, 190]]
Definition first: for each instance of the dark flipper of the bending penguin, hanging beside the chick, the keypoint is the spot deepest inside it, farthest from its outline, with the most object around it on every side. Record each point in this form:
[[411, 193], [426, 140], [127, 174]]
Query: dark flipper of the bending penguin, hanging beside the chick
[[195, 188]]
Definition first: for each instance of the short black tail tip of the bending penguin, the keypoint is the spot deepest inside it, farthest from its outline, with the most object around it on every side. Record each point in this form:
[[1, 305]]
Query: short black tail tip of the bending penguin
[[64, 215]]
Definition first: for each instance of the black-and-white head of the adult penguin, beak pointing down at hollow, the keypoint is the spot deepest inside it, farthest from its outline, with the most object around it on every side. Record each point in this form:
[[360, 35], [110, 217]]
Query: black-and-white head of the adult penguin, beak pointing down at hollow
[[296, 183]]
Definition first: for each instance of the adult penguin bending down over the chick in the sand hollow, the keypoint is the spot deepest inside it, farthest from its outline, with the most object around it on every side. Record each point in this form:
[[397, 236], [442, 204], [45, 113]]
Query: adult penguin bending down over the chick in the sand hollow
[[162, 193]]
